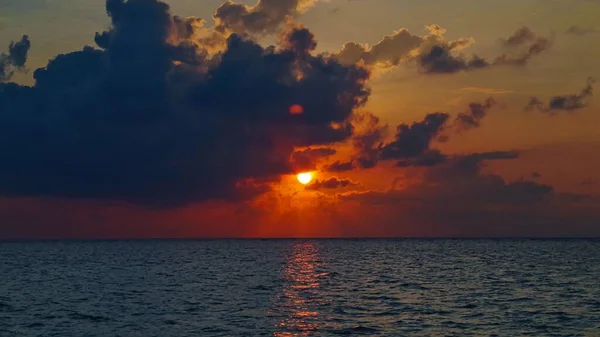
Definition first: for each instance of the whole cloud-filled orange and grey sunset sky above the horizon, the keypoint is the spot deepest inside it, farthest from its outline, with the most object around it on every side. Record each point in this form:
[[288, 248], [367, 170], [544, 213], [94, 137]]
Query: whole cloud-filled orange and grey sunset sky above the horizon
[[146, 119]]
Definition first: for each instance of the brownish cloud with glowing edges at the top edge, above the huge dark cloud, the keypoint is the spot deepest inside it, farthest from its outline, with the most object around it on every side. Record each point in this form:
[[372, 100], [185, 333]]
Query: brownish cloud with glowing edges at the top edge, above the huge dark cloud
[[264, 17]]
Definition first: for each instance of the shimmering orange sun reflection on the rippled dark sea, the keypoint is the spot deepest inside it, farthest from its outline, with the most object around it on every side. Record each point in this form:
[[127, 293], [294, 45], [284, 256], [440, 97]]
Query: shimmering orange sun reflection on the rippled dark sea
[[301, 298]]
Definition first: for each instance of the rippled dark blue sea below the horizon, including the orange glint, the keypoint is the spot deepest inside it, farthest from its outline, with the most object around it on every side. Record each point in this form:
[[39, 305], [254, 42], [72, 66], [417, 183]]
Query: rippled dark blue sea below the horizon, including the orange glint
[[300, 288]]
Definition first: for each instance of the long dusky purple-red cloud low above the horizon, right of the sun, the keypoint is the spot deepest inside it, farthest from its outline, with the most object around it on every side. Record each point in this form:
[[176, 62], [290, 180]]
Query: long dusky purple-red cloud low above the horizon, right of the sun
[[460, 182]]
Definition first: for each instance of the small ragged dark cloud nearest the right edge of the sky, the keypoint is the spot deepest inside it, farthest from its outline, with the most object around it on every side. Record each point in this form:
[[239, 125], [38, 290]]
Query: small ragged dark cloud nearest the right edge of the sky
[[566, 103]]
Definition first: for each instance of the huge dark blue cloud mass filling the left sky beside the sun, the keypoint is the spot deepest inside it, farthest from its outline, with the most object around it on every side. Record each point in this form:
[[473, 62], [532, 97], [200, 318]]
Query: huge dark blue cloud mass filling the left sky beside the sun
[[150, 118]]
